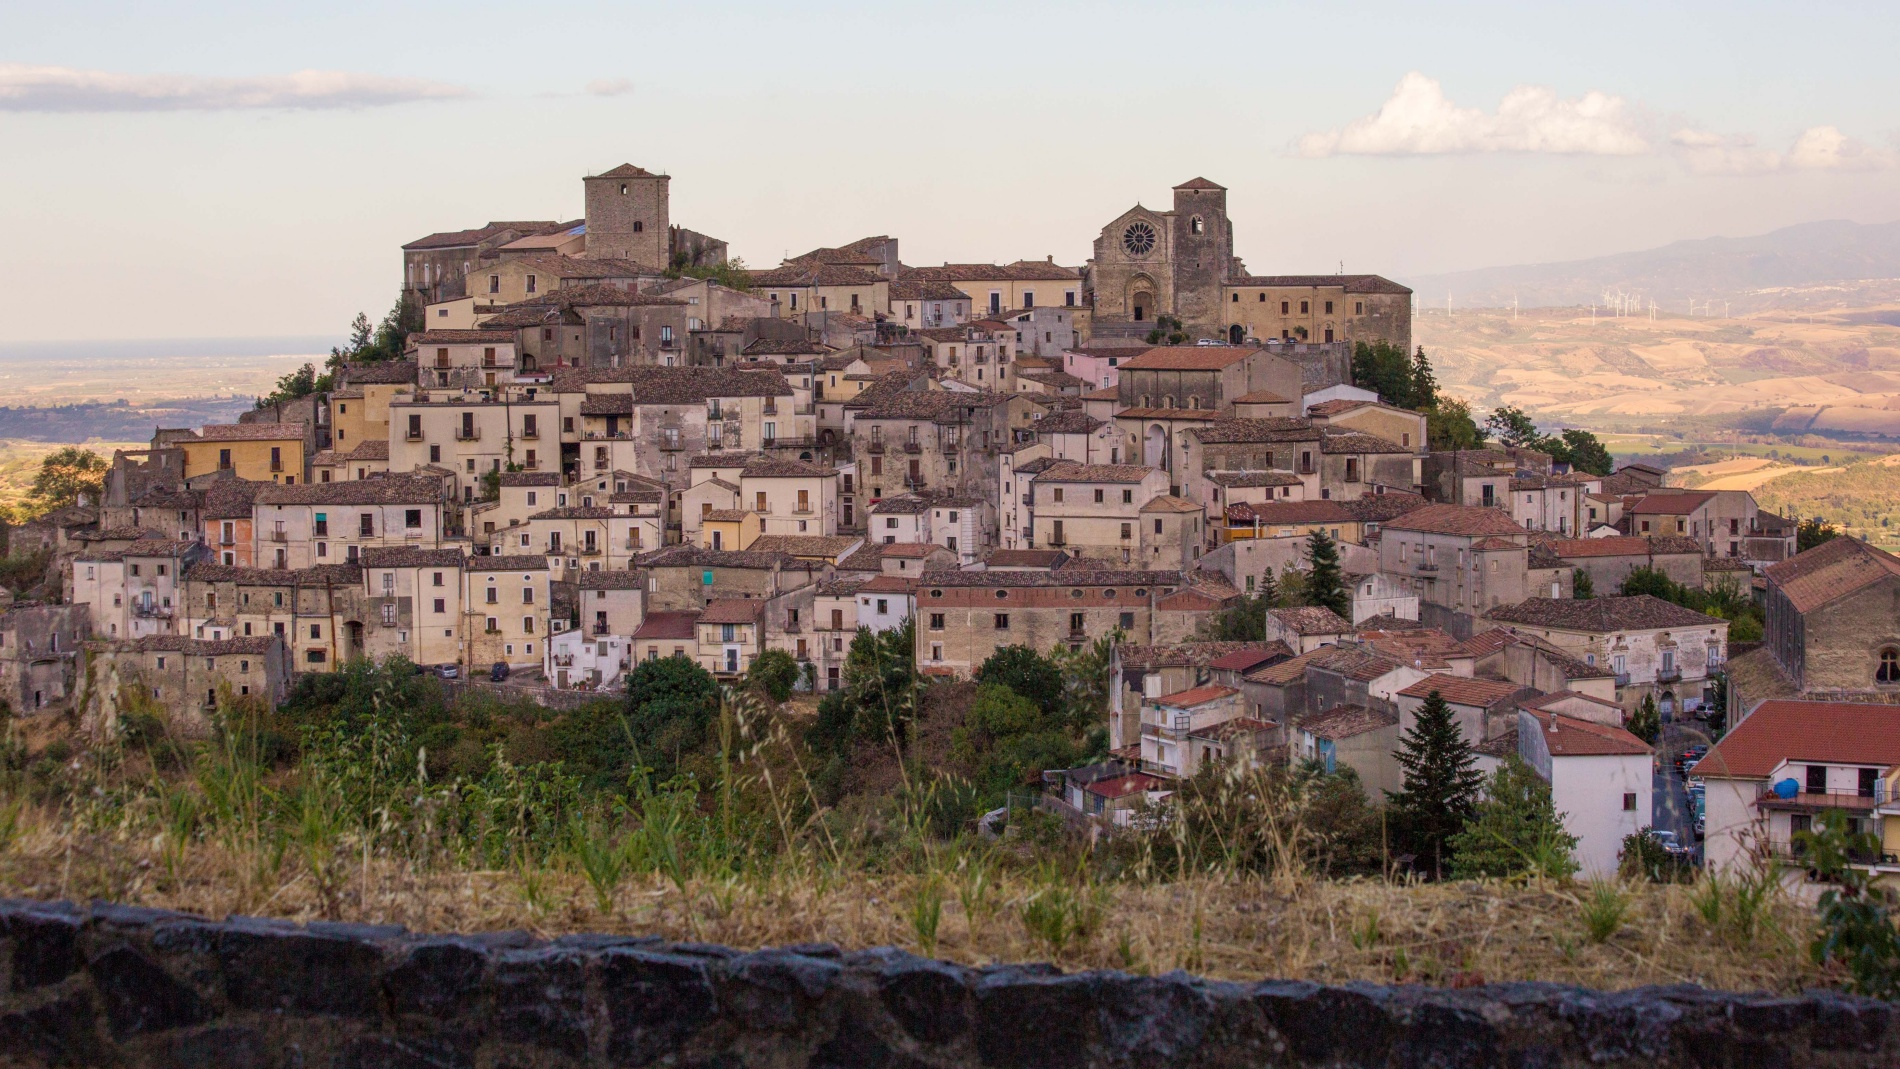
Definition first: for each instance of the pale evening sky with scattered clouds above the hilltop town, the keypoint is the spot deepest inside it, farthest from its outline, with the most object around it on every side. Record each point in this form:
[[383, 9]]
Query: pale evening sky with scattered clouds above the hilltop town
[[197, 170]]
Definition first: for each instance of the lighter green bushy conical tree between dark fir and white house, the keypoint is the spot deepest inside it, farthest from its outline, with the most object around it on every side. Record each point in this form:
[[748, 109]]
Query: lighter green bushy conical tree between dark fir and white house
[[1515, 831]]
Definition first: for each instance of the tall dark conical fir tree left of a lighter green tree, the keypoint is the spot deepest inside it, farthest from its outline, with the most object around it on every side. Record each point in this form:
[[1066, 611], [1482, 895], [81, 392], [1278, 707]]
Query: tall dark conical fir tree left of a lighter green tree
[[1441, 783]]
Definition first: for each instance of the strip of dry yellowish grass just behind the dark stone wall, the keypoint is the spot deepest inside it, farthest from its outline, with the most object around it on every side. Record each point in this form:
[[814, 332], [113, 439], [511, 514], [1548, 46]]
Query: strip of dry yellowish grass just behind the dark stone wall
[[1238, 929]]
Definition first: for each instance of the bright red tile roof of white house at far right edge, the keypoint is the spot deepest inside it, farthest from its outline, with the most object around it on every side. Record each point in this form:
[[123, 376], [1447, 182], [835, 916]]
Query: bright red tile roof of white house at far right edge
[[1848, 734]]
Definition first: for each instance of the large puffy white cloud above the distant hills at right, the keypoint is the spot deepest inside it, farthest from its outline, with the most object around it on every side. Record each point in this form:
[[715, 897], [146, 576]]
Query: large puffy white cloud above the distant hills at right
[[1418, 121]]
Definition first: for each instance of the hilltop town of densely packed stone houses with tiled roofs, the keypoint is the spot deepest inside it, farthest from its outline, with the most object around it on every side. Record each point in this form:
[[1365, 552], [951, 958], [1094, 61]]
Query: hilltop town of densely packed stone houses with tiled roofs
[[607, 445]]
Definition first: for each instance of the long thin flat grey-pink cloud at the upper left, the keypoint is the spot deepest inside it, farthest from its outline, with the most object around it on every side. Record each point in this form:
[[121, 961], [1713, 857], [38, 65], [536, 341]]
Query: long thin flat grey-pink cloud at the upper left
[[28, 88]]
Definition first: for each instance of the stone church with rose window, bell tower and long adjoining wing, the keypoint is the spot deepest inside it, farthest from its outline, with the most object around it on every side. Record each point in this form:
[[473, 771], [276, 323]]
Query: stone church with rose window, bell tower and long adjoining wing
[[1181, 265]]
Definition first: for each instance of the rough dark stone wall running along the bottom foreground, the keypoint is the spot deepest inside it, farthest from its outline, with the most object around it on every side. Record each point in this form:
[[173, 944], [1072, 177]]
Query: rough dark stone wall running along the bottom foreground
[[123, 986]]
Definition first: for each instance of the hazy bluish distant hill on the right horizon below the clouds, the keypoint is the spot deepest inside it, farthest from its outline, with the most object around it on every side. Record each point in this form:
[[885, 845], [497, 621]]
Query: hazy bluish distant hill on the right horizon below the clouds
[[1711, 269]]
